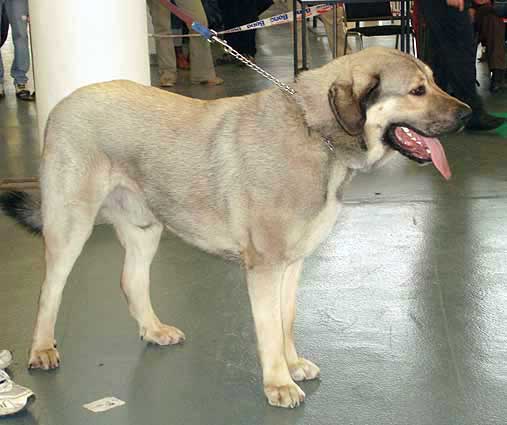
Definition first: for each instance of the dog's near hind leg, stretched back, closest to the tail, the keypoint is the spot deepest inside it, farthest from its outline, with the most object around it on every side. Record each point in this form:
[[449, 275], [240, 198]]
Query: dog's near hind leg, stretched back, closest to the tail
[[67, 224]]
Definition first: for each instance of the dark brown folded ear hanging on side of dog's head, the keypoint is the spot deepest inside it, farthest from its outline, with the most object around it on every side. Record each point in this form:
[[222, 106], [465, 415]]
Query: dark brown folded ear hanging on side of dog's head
[[349, 100]]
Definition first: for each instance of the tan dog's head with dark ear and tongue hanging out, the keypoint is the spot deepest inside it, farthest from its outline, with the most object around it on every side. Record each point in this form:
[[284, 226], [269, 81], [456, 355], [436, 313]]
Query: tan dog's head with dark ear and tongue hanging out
[[385, 101]]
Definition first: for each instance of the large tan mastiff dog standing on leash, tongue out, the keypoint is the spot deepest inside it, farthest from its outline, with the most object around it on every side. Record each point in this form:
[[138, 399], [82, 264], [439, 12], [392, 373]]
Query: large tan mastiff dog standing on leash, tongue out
[[258, 178]]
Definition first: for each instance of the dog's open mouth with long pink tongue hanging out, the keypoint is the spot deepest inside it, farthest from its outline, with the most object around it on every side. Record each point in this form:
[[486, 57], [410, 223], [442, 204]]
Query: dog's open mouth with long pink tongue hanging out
[[419, 148]]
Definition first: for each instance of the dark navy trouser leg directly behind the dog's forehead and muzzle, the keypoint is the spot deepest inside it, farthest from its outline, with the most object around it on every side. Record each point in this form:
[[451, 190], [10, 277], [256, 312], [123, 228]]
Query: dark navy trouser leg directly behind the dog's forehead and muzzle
[[452, 52]]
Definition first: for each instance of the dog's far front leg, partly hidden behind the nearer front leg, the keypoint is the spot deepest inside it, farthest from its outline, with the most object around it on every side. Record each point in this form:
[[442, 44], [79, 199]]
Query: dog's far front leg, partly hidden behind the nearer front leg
[[300, 369]]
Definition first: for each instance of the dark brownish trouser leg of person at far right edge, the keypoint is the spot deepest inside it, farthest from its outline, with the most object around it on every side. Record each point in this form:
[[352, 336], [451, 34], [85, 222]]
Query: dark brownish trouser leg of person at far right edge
[[491, 31]]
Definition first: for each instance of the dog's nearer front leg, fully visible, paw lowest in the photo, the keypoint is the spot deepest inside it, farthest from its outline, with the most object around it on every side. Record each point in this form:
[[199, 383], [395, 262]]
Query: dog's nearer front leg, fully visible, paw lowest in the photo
[[264, 288]]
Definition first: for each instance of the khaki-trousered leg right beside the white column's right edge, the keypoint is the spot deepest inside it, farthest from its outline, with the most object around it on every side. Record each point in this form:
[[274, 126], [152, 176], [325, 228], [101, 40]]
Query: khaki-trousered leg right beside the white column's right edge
[[166, 56]]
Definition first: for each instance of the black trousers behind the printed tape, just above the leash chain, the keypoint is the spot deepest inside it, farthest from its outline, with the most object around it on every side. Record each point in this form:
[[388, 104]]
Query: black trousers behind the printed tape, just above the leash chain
[[235, 13]]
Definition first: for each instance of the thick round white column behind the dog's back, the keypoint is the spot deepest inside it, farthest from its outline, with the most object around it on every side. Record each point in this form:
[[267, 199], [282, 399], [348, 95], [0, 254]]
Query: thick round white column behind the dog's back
[[79, 42]]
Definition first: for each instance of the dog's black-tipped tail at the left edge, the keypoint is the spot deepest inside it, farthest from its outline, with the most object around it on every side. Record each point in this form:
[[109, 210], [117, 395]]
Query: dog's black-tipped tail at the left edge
[[23, 207]]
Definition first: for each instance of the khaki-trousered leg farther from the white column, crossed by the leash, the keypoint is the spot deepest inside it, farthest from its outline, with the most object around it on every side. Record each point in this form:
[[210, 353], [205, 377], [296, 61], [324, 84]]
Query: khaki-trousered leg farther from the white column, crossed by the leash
[[202, 69]]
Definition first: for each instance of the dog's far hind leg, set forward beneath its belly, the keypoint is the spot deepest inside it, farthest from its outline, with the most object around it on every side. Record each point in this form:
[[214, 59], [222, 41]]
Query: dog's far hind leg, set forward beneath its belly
[[140, 243]]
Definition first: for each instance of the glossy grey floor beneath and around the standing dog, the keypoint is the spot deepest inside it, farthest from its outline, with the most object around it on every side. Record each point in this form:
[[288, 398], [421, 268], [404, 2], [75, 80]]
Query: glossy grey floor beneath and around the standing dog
[[403, 308]]
